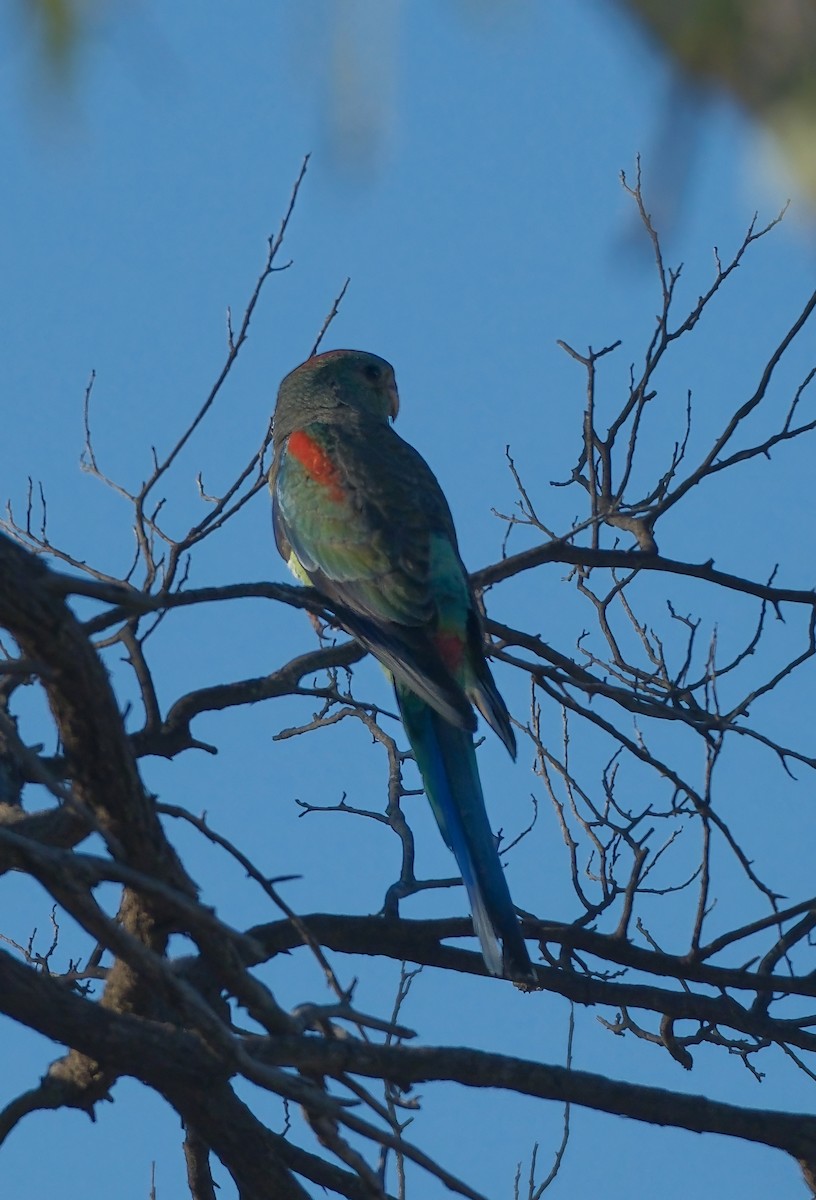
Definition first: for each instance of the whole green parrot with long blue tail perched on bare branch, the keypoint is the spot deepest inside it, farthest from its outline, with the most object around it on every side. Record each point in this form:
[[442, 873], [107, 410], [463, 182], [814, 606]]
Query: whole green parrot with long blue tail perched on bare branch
[[359, 514]]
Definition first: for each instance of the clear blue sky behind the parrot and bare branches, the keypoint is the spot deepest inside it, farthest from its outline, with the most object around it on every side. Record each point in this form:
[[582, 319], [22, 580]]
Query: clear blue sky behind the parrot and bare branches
[[479, 214]]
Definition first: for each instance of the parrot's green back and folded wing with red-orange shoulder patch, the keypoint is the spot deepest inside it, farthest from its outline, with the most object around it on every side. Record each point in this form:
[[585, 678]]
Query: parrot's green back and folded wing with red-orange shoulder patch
[[364, 520]]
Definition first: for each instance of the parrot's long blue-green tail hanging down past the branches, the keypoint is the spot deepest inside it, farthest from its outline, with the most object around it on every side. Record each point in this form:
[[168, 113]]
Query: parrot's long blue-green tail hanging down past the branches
[[447, 761]]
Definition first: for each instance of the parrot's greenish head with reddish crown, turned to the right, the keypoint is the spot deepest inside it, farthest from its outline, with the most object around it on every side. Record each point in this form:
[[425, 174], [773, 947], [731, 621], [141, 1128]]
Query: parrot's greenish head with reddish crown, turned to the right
[[338, 380]]
